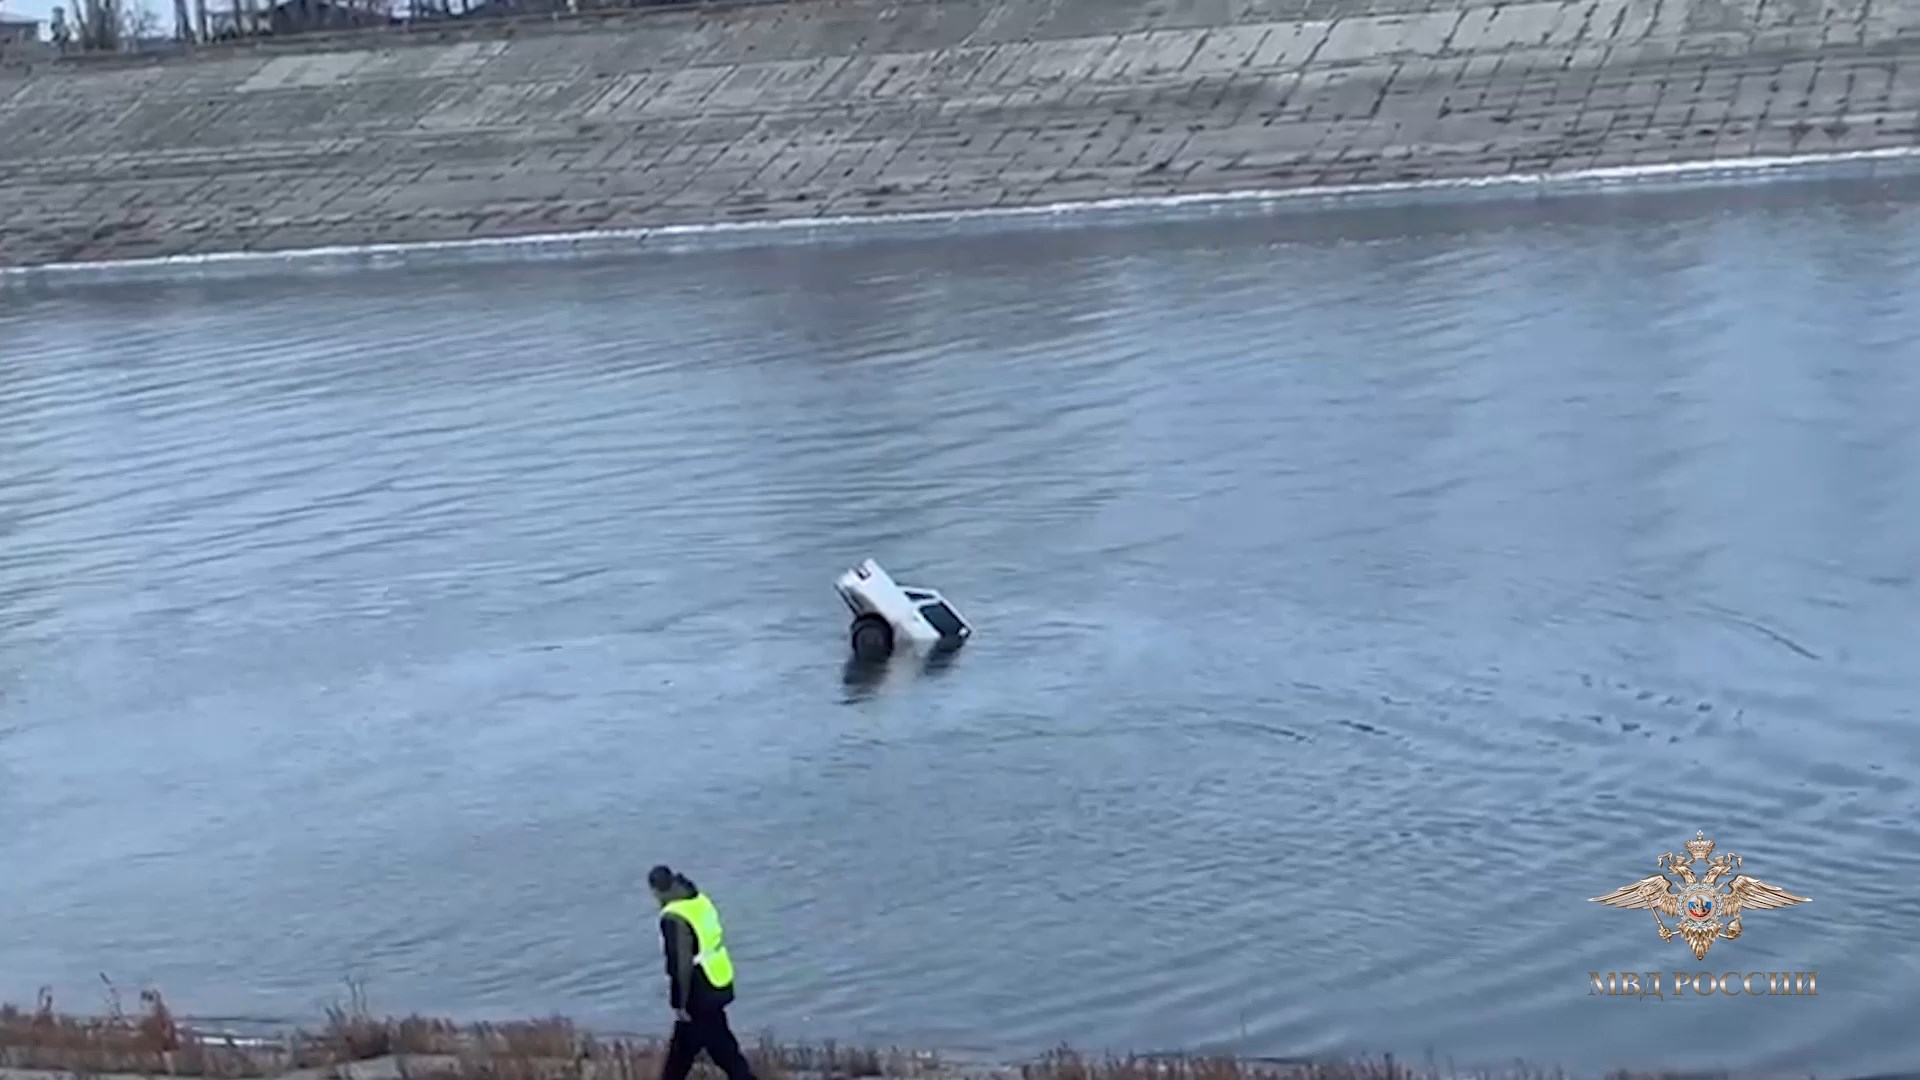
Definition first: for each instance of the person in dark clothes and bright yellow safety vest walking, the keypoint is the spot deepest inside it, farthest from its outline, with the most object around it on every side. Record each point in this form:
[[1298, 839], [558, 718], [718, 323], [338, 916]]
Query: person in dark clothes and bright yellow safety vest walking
[[700, 977]]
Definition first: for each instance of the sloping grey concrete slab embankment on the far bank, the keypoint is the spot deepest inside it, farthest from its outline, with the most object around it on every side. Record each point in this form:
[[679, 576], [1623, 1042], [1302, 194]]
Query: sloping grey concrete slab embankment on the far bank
[[865, 107]]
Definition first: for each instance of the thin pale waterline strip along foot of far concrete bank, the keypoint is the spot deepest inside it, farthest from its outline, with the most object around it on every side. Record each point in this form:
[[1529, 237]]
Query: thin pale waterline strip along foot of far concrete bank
[[1894, 162]]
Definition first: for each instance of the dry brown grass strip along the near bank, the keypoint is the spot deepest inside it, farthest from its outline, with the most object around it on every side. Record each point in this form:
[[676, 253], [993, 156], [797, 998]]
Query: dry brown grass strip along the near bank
[[423, 1048]]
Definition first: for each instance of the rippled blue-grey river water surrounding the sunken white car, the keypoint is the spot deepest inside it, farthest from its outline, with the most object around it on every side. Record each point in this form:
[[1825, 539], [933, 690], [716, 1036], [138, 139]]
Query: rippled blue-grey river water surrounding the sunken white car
[[1356, 597]]
